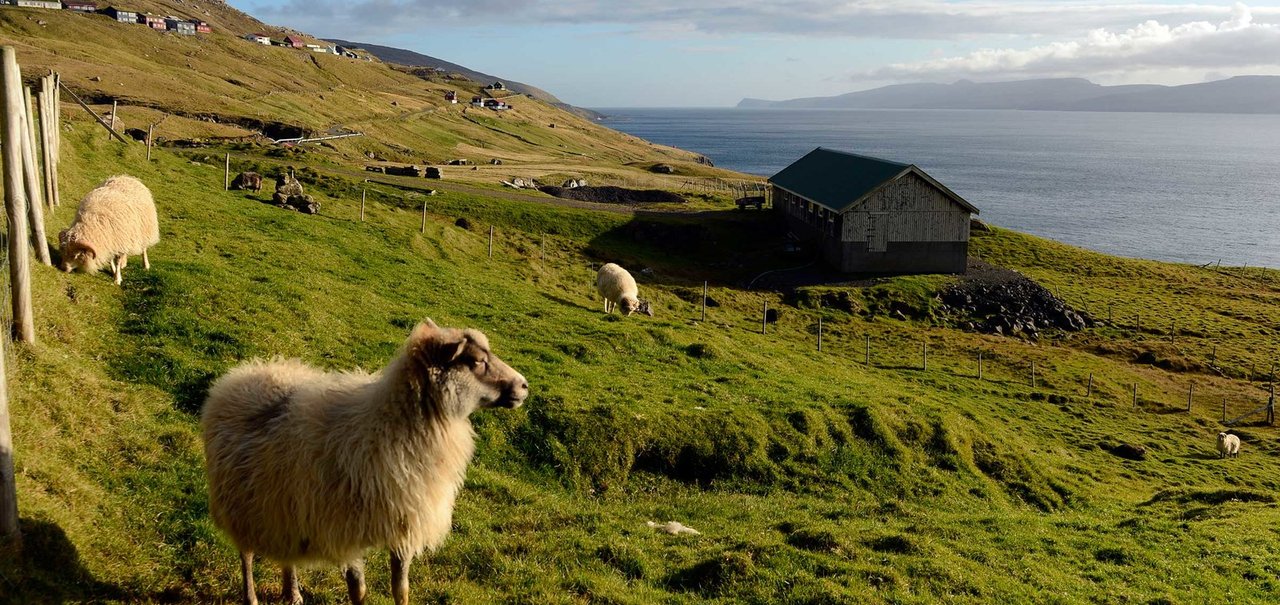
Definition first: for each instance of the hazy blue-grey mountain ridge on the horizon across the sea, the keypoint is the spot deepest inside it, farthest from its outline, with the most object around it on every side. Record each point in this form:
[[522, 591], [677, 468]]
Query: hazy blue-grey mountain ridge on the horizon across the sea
[[1238, 95]]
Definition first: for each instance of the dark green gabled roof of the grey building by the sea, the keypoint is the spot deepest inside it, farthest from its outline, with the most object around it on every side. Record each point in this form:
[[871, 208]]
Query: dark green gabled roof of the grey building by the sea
[[839, 180]]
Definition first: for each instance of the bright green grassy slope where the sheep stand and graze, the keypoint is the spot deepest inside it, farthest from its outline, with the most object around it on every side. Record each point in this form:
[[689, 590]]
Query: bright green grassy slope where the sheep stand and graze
[[812, 478]]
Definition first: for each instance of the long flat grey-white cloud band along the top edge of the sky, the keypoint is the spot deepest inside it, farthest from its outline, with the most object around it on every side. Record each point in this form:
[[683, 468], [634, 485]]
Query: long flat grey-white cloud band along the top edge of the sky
[[915, 20]]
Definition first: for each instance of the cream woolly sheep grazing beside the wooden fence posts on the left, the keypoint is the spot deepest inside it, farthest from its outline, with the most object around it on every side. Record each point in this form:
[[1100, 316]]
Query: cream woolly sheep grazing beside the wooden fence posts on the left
[[113, 222]]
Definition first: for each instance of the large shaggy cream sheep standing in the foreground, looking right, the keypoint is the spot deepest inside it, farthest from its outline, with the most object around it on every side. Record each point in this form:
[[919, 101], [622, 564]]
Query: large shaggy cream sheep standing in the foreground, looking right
[[312, 467]]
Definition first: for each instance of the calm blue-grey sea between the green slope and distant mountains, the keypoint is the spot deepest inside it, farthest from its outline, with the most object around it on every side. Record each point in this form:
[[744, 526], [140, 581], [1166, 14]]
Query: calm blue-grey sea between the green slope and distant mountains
[[1177, 187]]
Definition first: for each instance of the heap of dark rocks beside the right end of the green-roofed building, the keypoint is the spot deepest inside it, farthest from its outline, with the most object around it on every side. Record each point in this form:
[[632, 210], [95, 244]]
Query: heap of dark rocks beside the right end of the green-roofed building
[[1011, 306]]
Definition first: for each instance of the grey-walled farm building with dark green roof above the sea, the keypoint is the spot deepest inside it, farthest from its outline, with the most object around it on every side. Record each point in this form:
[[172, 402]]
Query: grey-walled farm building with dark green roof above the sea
[[871, 216]]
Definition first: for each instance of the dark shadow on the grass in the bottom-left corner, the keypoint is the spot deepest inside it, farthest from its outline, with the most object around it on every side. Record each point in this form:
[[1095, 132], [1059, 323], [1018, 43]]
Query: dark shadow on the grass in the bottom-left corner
[[48, 569]]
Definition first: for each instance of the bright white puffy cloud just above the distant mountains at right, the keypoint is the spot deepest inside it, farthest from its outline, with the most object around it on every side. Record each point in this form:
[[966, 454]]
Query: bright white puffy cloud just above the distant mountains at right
[[1233, 45]]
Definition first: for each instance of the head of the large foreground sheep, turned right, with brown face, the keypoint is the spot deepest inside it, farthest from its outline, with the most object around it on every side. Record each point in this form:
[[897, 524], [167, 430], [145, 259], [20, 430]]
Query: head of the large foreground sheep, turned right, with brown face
[[464, 374]]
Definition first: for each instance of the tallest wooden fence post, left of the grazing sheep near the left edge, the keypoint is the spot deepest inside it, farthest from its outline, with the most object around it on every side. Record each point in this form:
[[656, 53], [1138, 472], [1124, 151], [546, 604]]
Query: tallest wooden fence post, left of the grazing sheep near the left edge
[[16, 199]]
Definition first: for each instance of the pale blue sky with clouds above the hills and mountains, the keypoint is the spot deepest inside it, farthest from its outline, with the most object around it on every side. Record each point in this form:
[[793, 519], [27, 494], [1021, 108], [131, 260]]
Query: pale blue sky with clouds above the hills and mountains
[[671, 53]]
